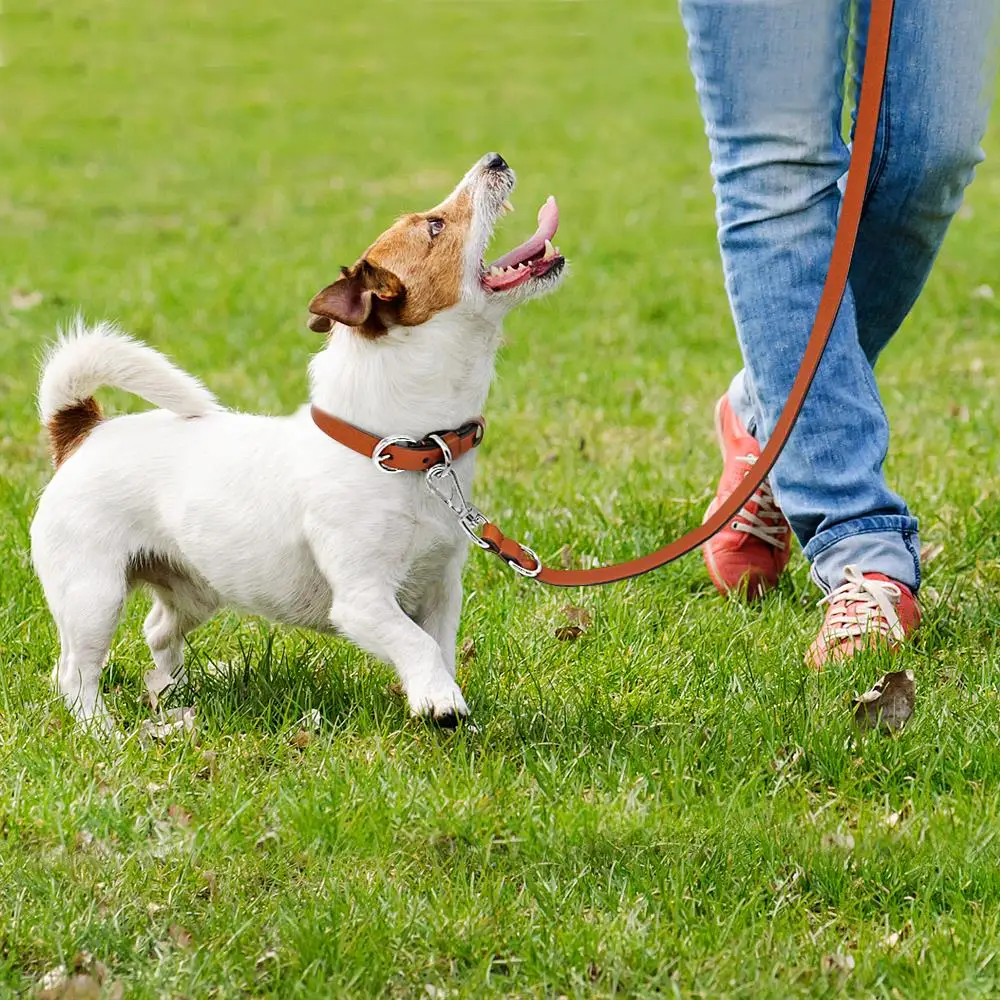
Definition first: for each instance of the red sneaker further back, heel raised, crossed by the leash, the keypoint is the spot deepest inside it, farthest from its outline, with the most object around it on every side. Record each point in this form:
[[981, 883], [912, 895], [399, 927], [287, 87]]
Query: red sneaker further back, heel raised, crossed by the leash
[[752, 551]]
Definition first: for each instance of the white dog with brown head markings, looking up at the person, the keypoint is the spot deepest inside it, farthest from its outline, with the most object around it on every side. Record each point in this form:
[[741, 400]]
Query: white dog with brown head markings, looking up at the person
[[267, 515]]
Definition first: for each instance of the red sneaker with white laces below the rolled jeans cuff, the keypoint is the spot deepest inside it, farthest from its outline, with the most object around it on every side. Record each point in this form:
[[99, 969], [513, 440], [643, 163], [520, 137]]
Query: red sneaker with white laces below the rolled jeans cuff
[[868, 611]]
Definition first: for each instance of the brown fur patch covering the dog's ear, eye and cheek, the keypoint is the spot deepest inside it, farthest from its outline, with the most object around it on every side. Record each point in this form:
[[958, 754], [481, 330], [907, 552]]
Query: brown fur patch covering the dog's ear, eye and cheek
[[405, 277]]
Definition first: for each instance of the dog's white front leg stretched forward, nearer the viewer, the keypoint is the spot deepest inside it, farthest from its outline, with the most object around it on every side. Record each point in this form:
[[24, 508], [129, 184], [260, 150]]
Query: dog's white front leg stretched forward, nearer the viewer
[[373, 619]]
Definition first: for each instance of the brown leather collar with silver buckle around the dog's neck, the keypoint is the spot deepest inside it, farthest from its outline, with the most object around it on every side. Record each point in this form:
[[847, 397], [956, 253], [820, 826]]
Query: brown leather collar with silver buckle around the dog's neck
[[400, 453]]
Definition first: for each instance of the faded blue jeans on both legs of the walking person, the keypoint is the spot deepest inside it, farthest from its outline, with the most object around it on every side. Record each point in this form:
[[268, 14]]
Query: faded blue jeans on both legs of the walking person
[[770, 78]]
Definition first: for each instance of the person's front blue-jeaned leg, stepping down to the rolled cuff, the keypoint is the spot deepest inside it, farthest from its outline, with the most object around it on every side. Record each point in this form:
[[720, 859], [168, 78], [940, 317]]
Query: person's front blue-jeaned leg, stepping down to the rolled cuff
[[769, 76]]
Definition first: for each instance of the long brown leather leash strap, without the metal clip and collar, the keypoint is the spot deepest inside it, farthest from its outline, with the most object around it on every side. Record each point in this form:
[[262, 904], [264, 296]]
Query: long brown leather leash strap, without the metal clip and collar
[[525, 562]]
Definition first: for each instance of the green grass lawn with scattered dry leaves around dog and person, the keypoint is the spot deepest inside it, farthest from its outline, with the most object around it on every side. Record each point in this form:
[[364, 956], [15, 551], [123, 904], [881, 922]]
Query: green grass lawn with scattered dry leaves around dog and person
[[670, 806]]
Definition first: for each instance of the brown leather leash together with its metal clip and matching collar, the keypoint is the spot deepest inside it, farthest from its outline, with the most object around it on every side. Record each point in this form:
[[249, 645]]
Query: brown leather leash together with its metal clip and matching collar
[[435, 453]]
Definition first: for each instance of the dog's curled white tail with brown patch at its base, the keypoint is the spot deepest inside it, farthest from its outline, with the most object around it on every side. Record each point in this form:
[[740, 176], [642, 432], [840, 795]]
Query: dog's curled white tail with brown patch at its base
[[82, 360]]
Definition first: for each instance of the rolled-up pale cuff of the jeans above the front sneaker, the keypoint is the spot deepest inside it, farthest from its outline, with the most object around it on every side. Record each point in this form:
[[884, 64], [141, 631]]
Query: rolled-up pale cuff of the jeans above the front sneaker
[[883, 543]]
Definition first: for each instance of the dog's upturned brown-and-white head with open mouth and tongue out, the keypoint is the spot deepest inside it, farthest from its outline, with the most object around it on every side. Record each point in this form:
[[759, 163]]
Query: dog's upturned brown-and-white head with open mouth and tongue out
[[432, 261]]
